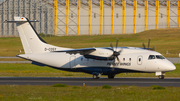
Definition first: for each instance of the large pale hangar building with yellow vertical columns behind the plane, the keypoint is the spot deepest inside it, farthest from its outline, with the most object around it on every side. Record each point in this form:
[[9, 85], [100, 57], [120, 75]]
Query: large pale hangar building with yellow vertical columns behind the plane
[[90, 17]]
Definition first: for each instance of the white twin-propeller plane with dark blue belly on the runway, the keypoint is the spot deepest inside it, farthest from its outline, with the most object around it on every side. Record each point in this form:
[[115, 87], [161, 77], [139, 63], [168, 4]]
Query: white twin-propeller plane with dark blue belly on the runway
[[96, 61]]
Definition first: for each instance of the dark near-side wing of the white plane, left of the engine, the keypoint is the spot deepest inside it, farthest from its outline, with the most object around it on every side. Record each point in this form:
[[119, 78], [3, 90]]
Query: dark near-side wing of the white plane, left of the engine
[[82, 51]]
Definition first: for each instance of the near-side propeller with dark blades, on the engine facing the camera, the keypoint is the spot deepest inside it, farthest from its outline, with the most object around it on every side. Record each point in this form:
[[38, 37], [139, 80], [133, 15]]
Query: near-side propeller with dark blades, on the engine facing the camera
[[116, 53]]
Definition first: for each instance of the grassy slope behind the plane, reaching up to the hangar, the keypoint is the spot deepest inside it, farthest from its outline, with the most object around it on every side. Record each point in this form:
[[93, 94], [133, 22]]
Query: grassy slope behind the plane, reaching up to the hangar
[[163, 39]]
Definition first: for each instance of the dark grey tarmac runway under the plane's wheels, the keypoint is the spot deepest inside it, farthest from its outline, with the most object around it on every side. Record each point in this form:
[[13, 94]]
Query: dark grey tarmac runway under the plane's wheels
[[175, 82]]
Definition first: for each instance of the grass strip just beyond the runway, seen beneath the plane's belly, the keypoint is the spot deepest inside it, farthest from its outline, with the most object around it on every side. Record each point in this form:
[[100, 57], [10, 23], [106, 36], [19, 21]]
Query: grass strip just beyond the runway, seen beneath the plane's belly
[[29, 70]]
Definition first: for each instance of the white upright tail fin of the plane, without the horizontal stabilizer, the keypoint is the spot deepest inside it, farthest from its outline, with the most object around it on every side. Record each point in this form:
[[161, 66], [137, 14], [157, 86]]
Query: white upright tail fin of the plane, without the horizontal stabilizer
[[29, 38]]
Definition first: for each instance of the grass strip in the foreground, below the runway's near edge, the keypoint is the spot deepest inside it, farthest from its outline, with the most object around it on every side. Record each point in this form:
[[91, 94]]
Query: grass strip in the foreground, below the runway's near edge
[[87, 93]]
